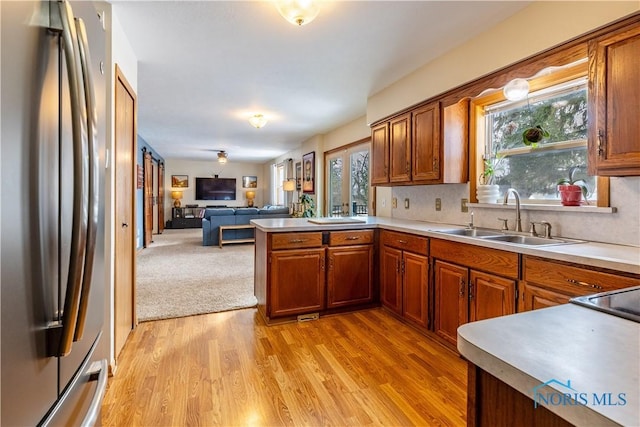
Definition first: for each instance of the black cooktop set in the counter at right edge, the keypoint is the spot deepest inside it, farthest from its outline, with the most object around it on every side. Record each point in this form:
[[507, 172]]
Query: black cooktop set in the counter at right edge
[[622, 303]]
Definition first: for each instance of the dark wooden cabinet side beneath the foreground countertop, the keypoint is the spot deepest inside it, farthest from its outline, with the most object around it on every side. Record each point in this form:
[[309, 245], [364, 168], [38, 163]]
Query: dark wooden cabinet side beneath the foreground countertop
[[493, 403]]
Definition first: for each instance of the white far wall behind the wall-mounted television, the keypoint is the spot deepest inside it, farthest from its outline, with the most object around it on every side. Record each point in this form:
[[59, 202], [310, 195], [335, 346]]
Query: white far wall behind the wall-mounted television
[[208, 169]]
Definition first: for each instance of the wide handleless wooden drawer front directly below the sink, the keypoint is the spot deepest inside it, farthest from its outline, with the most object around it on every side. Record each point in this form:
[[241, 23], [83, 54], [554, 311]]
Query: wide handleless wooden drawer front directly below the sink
[[495, 261]]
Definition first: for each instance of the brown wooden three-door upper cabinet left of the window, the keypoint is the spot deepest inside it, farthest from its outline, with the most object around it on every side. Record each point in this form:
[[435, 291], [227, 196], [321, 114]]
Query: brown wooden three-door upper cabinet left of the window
[[428, 145]]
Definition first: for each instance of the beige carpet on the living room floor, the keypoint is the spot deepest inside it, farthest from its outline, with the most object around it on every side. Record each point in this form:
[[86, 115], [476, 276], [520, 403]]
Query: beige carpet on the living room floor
[[177, 276]]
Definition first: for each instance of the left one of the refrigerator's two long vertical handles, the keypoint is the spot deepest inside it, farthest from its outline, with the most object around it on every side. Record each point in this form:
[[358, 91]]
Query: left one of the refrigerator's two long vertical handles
[[61, 335]]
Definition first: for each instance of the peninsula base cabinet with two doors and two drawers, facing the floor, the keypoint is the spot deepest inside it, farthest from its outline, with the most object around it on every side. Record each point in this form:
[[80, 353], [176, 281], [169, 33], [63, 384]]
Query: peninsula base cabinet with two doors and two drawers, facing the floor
[[300, 273]]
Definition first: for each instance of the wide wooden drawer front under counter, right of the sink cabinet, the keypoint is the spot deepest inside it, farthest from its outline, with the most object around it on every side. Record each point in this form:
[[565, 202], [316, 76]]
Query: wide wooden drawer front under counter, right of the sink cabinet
[[573, 280]]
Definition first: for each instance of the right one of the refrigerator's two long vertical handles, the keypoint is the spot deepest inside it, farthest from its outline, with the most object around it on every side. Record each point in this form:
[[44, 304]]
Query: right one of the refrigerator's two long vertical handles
[[93, 187]]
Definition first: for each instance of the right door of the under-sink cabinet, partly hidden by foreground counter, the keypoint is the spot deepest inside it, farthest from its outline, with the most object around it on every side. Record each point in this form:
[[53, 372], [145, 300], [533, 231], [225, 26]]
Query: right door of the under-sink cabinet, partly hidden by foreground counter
[[490, 296]]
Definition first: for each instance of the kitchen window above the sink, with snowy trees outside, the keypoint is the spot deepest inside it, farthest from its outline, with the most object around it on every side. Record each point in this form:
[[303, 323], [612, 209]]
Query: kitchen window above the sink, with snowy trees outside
[[558, 105]]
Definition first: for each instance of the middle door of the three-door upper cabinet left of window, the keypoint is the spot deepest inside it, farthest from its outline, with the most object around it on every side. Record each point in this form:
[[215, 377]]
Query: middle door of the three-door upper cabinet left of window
[[400, 149]]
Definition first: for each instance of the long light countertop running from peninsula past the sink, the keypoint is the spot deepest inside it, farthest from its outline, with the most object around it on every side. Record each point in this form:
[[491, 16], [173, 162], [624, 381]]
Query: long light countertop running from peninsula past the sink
[[603, 255]]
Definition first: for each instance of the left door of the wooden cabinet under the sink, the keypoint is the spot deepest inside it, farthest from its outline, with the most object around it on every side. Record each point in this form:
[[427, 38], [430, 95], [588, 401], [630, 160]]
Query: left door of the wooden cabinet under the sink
[[451, 299]]
